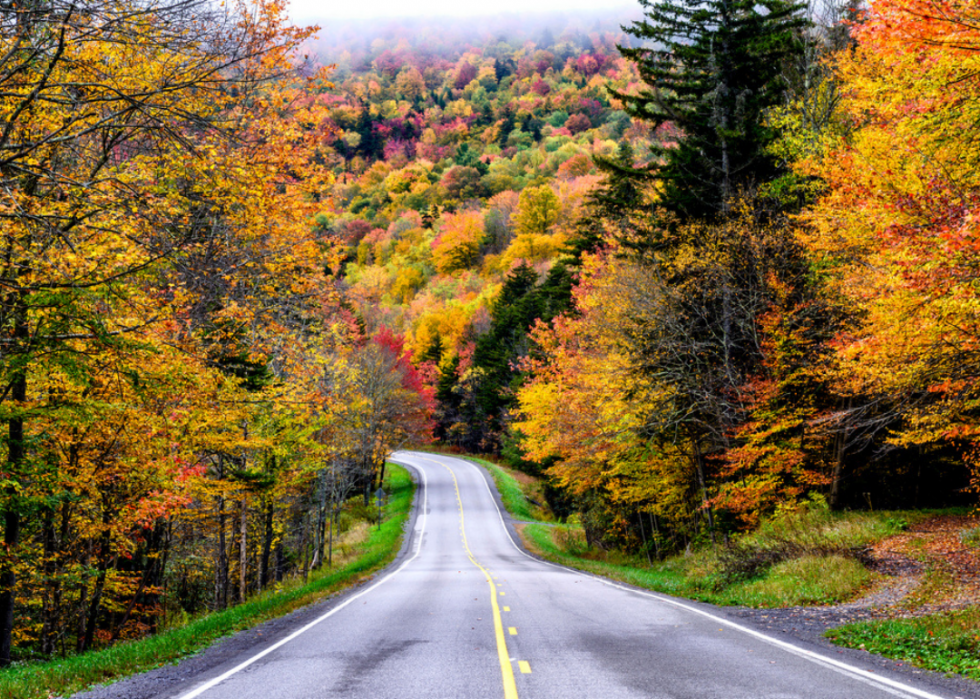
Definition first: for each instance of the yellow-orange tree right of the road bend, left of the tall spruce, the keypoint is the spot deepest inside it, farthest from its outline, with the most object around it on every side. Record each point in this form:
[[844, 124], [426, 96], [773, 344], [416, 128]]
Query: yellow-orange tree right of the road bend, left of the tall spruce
[[581, 412]]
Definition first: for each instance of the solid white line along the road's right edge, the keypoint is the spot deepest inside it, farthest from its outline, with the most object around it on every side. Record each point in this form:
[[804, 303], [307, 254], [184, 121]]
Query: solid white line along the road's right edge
[[884, 683]]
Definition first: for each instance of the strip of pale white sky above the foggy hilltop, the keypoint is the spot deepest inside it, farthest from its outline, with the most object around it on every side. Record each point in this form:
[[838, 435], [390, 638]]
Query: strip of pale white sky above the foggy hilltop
[[327, 9]]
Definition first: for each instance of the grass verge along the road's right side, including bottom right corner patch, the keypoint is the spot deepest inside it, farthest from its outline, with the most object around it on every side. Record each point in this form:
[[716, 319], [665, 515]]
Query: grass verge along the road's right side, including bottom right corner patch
[[772, 568]]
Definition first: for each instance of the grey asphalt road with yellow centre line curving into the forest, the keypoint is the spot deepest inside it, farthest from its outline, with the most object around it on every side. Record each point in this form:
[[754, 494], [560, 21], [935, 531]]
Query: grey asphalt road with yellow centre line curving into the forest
[[468, 614]]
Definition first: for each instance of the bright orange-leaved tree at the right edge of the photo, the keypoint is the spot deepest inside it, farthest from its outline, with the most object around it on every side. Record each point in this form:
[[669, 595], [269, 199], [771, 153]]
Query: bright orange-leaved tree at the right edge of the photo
[[897, 223]]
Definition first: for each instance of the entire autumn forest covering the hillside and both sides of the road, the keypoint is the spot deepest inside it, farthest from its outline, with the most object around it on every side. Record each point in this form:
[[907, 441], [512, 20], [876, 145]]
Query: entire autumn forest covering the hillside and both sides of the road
[[695, 266]]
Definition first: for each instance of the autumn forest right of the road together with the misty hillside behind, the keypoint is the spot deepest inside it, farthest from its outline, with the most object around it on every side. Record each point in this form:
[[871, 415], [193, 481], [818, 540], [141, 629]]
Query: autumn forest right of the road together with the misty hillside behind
[[690, 289]]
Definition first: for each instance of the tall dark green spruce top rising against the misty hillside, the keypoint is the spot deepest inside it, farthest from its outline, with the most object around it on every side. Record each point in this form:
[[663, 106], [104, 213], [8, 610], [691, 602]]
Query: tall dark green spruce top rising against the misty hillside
[[712, 68]]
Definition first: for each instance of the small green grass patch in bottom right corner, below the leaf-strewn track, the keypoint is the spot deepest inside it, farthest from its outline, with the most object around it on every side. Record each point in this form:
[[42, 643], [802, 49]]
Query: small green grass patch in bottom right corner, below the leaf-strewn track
[[948, 642]]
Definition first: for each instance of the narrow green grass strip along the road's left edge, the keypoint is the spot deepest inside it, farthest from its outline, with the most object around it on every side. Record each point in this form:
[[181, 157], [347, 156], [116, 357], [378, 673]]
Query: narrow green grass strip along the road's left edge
[[74, 674]]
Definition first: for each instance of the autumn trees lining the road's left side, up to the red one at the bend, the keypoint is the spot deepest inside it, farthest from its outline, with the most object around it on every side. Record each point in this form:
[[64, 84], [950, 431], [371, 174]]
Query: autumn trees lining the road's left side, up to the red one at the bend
[[166, 320]]
